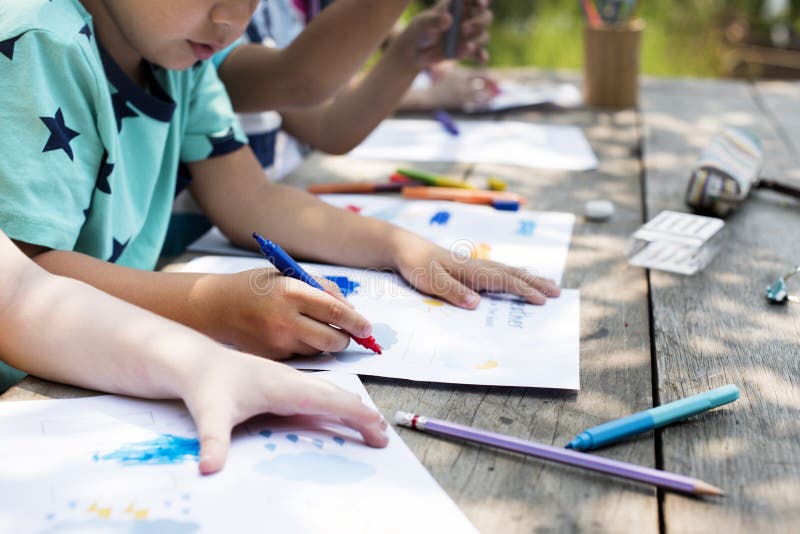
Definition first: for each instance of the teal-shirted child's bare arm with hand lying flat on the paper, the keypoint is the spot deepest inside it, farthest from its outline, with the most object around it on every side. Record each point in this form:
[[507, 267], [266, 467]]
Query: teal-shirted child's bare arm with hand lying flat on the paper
[[313, 230]]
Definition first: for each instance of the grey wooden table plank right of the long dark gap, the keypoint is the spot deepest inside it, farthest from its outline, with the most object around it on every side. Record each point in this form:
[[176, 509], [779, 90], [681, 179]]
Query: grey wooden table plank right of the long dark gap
[[716, 327]]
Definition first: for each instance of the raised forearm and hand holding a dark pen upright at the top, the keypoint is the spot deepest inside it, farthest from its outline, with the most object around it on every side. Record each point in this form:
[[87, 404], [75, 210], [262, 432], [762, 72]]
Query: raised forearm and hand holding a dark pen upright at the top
[[341, 124]]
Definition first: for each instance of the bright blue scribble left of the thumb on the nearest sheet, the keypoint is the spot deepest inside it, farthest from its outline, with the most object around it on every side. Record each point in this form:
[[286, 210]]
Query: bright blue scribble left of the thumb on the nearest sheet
[[165, 449]]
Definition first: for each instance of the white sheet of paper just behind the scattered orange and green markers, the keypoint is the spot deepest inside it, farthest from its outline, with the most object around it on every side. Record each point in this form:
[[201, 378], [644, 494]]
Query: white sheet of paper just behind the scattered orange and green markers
[[538, 146]]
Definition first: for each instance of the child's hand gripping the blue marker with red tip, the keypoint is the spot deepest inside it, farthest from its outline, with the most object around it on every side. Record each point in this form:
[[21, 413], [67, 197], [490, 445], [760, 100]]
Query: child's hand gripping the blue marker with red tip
[[264, 313]]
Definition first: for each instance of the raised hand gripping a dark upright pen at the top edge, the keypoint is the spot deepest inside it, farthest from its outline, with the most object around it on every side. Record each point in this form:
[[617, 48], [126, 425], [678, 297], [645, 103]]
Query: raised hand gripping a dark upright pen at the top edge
[[422, 42]]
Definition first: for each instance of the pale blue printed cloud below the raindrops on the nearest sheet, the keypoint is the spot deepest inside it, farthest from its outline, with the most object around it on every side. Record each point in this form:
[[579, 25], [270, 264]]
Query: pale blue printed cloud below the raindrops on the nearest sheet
[[313, 466]]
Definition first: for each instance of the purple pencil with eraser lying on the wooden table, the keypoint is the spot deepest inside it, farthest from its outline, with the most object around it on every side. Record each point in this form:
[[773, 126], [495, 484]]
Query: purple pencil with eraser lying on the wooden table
[[615, 468]]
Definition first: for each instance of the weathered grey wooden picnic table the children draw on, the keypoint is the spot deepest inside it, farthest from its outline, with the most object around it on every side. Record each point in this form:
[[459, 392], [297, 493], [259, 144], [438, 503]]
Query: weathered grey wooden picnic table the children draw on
[[647, 338]]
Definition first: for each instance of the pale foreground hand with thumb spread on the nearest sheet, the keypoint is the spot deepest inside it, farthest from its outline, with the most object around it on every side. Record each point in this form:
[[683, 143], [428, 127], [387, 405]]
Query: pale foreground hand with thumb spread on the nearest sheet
[[228, 387]]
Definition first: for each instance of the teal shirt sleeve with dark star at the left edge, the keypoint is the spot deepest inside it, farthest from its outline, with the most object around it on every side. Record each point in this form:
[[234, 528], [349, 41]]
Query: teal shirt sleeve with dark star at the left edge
[[51, 148]]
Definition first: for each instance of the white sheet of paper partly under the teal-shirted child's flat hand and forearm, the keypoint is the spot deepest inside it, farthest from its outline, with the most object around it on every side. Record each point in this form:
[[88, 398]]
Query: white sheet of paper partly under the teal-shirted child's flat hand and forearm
[[538, 241]]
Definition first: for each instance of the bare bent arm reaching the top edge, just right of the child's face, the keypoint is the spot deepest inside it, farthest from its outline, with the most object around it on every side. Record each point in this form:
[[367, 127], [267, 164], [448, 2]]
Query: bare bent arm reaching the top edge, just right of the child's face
[[306, 72]]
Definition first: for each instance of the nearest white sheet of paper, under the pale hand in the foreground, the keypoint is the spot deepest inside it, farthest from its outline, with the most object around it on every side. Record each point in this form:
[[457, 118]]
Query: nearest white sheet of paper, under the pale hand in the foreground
[[113, 464]]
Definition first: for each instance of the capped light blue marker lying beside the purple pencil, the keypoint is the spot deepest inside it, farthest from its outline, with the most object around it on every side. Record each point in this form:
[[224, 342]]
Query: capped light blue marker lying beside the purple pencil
[[653, 418]]
